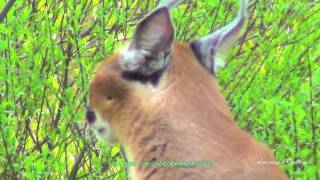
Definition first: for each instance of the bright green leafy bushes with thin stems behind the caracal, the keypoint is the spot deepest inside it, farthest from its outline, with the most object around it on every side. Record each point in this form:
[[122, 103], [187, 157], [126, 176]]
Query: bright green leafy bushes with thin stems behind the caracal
[[49, 51]]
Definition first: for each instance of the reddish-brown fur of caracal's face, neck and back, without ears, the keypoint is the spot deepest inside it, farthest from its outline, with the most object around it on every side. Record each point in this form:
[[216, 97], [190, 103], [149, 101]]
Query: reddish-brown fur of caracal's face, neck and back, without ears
[[183, 118]]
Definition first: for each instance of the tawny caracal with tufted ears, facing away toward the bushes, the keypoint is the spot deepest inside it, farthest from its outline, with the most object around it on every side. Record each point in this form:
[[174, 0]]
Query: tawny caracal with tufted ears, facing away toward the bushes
[[160, 100]]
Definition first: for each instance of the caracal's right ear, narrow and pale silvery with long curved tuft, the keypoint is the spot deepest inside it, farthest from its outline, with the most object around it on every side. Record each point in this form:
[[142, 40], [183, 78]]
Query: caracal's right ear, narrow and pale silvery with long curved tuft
[[212, 49]]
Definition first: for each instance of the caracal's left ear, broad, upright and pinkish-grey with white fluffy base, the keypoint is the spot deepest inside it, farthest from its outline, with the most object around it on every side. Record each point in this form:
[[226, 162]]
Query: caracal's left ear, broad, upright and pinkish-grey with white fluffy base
[[150, 48]]
